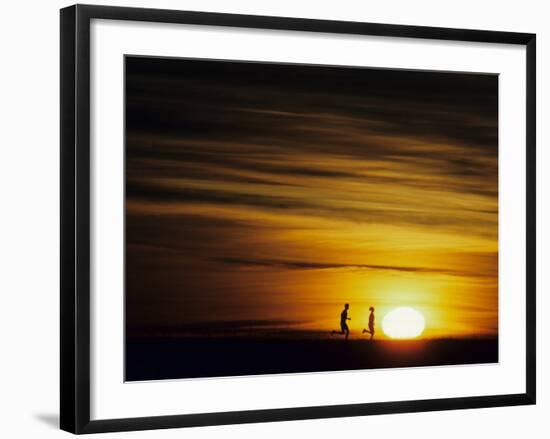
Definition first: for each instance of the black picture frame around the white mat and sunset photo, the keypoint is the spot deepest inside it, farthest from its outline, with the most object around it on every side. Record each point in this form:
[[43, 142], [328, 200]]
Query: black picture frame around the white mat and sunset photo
[[75, 217]]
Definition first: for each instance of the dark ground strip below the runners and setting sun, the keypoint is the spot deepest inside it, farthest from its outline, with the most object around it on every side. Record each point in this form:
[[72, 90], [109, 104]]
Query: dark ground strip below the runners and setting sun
[[232, 356]]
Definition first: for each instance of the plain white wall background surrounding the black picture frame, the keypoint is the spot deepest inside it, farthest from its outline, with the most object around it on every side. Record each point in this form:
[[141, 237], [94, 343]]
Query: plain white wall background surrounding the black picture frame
[[29, 206]]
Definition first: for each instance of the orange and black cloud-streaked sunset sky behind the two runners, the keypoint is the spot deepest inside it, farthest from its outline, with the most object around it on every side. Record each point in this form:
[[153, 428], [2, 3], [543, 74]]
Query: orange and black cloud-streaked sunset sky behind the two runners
[[264, 197]]
